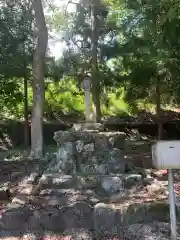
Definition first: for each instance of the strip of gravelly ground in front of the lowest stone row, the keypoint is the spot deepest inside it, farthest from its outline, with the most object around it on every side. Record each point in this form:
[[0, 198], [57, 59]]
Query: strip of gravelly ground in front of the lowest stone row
[[151, 231]]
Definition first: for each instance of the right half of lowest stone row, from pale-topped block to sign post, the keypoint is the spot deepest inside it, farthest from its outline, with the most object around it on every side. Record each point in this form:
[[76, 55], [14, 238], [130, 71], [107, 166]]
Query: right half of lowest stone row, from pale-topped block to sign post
[[110, 215]]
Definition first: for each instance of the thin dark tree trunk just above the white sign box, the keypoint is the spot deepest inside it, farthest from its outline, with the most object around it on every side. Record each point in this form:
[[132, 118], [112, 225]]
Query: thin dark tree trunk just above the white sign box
[[158, 109]]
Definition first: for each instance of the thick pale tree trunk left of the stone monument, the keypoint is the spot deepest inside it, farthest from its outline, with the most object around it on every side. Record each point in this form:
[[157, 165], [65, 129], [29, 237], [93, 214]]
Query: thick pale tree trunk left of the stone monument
[[38, 82]]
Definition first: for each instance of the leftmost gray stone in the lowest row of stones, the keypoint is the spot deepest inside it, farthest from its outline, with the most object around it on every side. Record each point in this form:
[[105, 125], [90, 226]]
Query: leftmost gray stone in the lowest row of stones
[[15, 216]]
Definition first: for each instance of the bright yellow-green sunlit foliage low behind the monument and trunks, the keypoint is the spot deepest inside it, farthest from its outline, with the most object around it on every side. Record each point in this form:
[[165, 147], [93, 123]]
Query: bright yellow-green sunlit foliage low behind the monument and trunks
[[65, 97]]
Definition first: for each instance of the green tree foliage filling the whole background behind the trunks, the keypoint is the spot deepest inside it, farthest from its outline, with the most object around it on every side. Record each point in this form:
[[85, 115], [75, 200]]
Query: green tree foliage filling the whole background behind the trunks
[[138, 44]]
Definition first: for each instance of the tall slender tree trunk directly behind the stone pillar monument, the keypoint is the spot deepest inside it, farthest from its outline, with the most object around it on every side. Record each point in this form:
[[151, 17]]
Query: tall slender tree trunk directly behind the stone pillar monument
[[95, 79]]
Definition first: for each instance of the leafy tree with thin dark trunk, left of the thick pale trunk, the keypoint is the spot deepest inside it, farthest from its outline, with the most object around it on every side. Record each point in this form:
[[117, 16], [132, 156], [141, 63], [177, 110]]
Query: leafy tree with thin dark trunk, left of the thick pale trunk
[[16, 57]]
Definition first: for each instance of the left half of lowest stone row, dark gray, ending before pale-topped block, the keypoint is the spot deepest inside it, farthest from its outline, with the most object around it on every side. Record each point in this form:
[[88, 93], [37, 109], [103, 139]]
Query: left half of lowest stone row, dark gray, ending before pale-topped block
[[19, 217]]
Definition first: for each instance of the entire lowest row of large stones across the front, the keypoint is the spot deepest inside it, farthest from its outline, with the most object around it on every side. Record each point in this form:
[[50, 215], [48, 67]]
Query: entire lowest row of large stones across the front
[[75, 212]]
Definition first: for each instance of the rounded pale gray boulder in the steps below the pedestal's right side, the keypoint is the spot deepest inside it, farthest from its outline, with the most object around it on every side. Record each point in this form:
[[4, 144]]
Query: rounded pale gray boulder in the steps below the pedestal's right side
[[112, 184]]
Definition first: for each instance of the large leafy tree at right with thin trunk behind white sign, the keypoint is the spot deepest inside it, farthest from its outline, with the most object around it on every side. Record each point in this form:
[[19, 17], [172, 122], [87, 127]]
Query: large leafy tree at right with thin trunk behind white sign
[[148, 51]]
